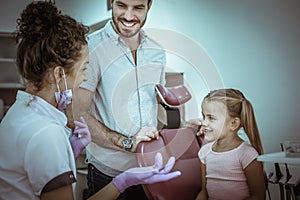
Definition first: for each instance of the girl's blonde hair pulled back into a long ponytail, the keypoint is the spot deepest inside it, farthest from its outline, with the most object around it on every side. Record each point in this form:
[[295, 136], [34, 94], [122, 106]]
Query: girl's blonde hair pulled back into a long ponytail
[[238, 106]]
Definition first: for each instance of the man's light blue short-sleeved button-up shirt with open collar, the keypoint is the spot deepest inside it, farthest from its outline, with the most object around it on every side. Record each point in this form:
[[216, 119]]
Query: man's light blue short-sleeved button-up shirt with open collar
[[125, 98]]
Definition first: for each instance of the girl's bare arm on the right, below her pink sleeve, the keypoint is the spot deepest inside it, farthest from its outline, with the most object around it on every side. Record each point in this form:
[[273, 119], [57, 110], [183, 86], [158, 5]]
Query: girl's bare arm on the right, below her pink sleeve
[[256, 180]]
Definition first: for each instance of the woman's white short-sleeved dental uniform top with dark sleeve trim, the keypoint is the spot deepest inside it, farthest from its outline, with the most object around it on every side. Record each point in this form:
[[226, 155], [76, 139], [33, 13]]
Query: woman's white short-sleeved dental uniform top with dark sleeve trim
[[35, 152]]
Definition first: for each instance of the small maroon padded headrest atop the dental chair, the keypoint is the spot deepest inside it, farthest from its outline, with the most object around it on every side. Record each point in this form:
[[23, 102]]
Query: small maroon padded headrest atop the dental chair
[[173, 96]]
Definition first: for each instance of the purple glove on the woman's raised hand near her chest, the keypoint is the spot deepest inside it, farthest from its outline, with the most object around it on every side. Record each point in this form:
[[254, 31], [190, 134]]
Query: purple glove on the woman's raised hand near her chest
[[81, 137]]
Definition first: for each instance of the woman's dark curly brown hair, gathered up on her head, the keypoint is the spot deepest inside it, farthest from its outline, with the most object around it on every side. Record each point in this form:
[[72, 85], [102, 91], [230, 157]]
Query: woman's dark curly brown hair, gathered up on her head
[[47, 38]]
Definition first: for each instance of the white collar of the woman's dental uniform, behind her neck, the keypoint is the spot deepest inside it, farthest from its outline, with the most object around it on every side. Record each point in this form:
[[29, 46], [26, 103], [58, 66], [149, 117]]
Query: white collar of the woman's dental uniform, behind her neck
[[42, 107]]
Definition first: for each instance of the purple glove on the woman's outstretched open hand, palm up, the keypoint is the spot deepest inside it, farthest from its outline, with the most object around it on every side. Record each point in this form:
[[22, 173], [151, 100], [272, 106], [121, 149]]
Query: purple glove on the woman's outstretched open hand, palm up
[[146, 175]]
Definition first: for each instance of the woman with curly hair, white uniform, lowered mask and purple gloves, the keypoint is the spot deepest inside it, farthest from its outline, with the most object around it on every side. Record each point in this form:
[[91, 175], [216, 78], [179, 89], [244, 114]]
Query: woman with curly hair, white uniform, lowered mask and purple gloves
[[36, 155]]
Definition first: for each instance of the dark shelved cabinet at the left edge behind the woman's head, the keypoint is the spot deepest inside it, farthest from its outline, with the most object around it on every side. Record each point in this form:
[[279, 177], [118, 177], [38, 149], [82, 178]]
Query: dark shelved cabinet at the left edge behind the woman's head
[[10, 80]]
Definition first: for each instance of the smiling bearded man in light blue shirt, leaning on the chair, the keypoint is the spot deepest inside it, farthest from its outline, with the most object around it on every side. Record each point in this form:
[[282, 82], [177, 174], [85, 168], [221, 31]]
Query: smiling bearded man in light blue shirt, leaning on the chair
[[118, 101]]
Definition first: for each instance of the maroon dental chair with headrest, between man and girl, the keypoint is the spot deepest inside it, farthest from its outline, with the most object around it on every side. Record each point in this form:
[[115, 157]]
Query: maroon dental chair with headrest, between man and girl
[[181, 143]]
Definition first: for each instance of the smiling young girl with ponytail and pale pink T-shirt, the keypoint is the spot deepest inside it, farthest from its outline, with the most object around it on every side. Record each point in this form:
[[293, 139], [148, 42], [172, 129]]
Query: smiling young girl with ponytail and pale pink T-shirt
[[229, 166]]
